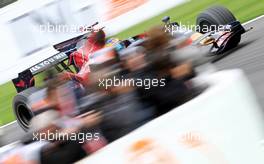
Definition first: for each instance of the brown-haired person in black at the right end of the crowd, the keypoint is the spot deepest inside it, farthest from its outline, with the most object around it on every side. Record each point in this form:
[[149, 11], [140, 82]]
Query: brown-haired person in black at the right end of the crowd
[[175, 92]]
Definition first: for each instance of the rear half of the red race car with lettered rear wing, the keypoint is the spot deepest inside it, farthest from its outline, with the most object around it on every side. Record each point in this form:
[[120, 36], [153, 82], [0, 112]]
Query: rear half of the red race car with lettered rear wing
[[68, 63]]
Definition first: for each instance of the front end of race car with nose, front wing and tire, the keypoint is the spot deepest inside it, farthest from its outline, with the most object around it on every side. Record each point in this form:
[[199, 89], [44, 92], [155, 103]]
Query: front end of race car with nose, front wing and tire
[[216, 29]]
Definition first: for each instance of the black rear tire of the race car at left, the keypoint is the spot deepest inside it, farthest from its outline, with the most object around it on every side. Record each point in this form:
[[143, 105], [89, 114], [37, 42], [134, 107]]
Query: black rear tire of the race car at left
[[21, 108]]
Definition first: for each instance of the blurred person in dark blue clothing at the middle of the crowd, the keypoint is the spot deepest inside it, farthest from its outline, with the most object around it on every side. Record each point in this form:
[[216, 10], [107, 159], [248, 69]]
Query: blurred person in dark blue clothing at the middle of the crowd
[[122, 111]]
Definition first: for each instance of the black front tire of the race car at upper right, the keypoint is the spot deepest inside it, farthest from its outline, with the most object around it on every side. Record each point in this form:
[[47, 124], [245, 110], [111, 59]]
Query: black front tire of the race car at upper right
[[216, 15]]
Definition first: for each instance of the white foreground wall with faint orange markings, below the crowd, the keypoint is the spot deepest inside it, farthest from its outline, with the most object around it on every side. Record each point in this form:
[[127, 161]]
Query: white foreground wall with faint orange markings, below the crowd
[[222, 125]]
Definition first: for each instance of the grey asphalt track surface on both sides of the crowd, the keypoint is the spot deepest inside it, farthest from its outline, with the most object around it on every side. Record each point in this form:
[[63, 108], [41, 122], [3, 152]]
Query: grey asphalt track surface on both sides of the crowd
[[248, 56]]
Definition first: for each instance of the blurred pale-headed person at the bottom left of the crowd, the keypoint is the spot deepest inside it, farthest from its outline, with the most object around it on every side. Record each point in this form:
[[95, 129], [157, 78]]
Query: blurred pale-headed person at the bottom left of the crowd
[[42, 148]]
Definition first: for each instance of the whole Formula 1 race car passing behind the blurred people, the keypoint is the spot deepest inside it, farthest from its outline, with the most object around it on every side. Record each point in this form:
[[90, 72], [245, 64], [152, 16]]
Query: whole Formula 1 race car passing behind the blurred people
[[217, 42]]
